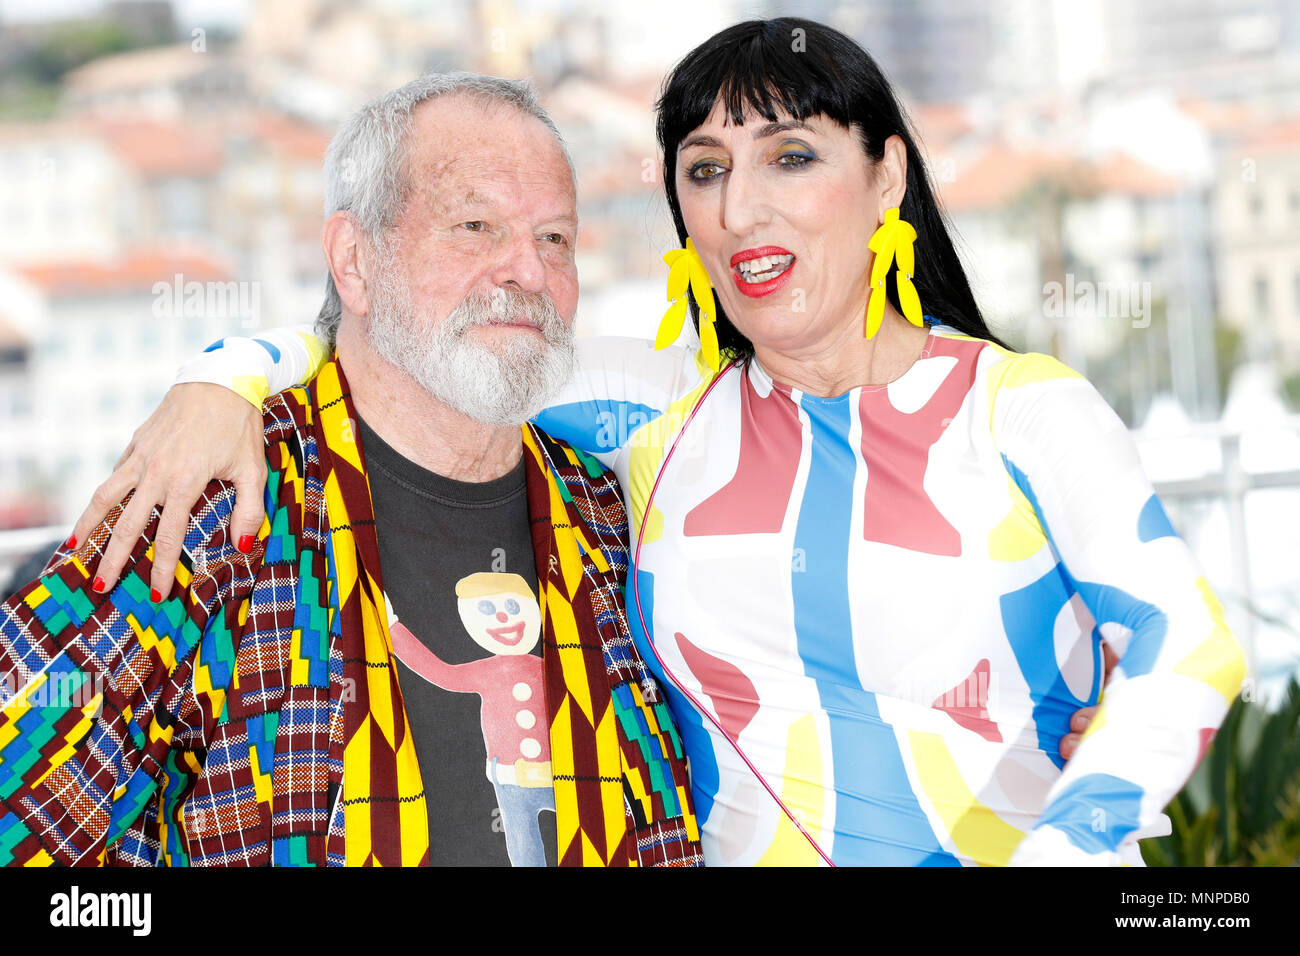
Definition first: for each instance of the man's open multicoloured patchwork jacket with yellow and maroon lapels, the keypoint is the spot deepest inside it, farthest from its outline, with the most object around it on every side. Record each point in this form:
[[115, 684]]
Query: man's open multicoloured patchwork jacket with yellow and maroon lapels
[[255, 719]]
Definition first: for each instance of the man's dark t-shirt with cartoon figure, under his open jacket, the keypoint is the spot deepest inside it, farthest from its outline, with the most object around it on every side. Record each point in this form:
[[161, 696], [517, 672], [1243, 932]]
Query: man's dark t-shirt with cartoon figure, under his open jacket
[[461, 577]]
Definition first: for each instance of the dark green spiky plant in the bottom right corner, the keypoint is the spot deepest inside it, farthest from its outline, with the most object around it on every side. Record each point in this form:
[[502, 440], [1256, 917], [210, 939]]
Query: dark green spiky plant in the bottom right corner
[[1242, 807]]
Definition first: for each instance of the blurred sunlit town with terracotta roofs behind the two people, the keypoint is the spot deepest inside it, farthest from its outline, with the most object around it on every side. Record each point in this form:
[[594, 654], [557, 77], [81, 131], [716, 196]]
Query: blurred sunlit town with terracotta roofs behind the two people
[[1125, 180]]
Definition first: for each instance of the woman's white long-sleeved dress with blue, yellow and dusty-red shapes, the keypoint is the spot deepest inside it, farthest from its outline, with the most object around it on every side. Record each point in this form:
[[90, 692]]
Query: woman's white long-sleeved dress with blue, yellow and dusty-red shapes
[[877, 612]]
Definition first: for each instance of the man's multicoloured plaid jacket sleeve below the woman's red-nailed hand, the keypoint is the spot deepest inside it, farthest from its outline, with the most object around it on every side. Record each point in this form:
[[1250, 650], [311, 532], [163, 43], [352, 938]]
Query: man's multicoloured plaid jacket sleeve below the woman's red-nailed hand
[[109, 700]]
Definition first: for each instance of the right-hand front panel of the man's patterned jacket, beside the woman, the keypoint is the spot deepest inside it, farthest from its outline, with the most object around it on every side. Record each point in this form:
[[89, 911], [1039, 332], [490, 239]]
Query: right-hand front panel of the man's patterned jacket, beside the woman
[[613, 743]]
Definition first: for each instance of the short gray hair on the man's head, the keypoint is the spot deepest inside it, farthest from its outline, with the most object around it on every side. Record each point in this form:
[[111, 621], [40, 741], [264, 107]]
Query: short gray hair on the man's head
[[366, 166]]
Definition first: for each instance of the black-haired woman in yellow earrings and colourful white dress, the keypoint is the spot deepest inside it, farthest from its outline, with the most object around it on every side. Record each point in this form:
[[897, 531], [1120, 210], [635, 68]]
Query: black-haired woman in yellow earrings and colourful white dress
[[876, 553]]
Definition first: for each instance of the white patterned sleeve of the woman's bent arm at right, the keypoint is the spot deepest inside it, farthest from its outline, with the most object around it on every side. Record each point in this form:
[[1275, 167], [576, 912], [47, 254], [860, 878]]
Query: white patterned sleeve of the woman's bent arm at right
[[1180, 667]]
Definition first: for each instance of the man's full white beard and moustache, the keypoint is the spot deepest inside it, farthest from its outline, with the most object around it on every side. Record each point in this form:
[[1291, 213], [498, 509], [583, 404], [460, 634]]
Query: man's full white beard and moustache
[[501, 386]]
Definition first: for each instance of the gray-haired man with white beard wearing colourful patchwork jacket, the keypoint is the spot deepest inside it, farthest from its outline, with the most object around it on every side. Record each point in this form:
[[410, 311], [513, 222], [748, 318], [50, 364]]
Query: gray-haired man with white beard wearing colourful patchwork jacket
[[315, 693]]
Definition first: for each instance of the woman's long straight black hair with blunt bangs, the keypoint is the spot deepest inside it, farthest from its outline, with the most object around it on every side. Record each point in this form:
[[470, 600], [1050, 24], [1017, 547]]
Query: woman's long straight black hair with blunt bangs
[[805, 70]]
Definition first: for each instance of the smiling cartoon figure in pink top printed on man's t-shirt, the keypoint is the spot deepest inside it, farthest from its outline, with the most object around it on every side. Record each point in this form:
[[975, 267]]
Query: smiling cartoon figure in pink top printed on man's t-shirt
[[501, 615]]
